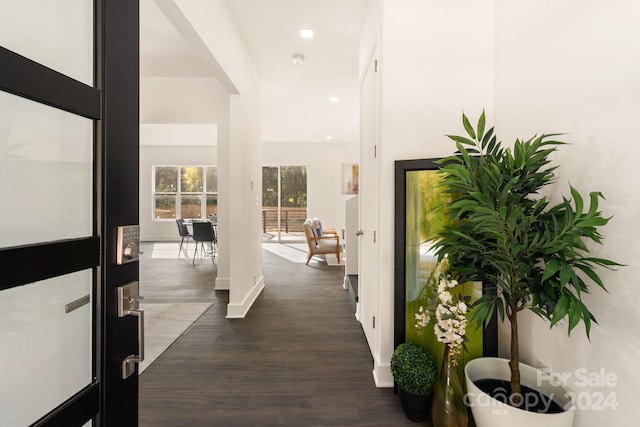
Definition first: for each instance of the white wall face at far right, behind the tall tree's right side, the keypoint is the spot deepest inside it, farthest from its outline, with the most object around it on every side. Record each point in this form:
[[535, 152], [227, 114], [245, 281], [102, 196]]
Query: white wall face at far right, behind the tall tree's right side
[[579, 74]]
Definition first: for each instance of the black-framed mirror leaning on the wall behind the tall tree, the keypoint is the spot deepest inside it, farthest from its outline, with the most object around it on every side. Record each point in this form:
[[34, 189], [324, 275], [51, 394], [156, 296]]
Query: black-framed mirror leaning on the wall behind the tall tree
[[417, 218]]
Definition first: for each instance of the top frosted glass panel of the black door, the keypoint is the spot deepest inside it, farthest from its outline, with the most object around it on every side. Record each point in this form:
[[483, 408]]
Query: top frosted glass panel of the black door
[[56, 33]]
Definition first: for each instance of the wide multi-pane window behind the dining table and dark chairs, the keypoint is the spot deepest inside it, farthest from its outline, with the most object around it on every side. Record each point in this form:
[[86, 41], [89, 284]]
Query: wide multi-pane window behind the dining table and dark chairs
[[190, 191]]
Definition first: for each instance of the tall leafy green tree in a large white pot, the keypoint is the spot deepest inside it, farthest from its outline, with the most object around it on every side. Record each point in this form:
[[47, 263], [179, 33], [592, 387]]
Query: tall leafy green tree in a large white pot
[[532, 253]]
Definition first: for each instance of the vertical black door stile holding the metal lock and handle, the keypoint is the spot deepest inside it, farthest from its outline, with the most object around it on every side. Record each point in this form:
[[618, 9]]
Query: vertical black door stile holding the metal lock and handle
[[118, 142]]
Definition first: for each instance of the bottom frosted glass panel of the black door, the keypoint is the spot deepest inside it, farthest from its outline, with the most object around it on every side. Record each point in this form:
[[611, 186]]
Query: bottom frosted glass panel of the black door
[[46, 352]]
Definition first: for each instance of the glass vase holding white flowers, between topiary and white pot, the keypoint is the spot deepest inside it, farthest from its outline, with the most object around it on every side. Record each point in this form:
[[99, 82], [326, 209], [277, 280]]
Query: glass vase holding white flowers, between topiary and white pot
[[448, 408]]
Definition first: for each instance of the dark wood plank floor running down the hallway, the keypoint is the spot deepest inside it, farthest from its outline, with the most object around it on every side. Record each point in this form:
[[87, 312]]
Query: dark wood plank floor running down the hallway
[[299, 358]]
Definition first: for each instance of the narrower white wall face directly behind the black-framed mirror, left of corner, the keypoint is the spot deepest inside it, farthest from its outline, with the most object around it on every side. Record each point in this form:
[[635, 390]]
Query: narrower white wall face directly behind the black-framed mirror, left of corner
[[436, 59]]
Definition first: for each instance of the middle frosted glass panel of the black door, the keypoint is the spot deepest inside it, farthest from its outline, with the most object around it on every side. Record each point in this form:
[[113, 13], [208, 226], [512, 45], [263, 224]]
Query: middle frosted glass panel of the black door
[[46, 173]]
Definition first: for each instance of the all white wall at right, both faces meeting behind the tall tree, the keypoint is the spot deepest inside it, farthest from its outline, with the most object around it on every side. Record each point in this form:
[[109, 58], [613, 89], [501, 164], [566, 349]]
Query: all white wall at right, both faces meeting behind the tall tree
[[578, 73]]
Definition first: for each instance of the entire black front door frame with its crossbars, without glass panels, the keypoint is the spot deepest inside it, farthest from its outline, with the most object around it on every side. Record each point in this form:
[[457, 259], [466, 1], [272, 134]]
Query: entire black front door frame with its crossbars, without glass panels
[[114, 105]]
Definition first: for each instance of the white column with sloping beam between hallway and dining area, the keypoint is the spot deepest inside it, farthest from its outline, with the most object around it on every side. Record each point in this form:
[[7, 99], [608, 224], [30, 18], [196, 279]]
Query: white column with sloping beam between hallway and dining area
[[240, 160]]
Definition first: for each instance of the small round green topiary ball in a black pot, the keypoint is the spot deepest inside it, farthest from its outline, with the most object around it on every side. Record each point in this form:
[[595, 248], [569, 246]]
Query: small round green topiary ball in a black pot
[[415, 372]]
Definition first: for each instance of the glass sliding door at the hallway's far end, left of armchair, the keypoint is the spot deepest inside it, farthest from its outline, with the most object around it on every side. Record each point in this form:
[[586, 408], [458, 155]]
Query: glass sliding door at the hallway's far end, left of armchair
[[284, 202]]
